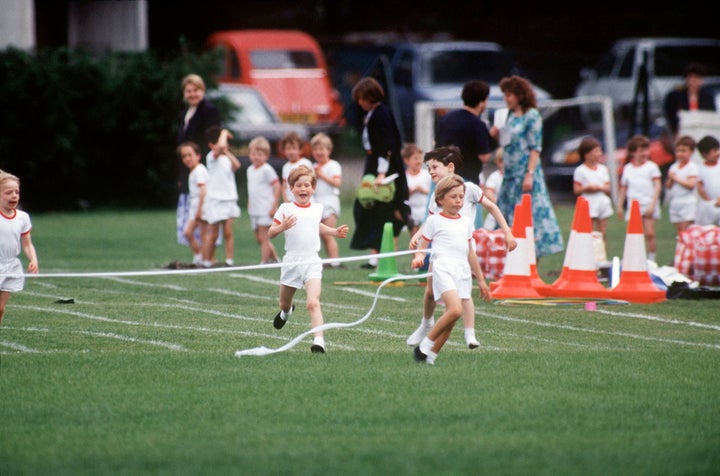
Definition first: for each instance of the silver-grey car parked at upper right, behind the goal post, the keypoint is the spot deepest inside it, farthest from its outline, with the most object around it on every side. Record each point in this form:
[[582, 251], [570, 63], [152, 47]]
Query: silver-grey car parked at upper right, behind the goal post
[[617, 73]]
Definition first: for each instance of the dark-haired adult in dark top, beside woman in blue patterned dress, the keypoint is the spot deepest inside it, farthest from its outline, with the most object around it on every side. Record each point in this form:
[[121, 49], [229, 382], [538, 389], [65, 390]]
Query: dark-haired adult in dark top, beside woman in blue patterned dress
[[464, 128]]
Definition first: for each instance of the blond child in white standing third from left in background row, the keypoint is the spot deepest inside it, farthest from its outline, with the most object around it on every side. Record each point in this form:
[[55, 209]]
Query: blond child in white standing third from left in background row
[[263, 185]]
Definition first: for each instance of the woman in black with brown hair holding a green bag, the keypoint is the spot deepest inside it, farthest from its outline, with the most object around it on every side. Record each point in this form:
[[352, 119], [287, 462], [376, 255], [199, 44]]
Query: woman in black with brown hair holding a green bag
[[381, 140]]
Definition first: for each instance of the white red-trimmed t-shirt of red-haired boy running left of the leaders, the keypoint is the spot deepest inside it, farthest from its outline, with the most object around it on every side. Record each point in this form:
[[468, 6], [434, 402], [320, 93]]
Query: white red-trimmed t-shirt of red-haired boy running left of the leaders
[[304, 237]]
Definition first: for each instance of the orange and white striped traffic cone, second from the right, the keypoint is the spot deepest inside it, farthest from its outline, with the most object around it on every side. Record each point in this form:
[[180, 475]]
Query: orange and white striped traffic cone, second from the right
[[579, 275]]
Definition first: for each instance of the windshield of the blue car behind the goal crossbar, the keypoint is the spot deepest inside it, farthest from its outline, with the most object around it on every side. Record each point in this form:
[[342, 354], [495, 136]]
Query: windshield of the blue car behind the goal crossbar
[[458, 67]]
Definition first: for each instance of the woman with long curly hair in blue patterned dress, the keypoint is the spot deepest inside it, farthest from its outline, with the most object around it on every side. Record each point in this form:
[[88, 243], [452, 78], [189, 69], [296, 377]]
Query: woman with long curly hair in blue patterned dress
[[521, 138]]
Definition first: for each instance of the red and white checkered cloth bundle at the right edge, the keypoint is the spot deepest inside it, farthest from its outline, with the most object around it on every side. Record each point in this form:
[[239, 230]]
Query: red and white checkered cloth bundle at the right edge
[[697, 254]]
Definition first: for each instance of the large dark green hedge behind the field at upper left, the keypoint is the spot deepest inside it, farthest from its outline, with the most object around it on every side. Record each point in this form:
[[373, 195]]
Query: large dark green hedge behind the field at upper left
[[82, 130]]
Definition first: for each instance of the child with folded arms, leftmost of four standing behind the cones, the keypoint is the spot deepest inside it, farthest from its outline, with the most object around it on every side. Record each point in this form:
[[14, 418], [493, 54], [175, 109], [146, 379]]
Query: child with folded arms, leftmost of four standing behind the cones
[[591, 180]]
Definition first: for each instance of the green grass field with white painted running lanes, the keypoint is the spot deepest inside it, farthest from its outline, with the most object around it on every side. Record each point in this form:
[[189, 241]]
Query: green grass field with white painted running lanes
[[138, 374]]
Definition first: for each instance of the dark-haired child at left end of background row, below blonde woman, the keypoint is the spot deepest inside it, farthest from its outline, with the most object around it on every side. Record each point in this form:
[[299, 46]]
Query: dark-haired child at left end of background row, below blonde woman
[[189, 153]]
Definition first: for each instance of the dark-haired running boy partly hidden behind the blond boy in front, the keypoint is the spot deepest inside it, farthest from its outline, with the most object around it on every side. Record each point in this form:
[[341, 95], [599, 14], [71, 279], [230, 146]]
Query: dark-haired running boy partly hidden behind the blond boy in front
[[442, 162]]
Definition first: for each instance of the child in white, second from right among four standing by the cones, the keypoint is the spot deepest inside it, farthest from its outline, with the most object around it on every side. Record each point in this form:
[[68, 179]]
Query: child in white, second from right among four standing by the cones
[[680, 185]]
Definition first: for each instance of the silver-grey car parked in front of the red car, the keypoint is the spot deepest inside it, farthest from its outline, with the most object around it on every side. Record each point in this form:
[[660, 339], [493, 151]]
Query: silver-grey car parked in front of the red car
[[247, 114]]
